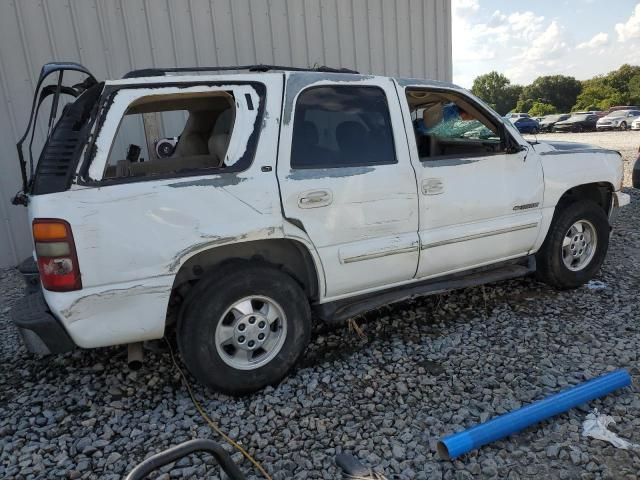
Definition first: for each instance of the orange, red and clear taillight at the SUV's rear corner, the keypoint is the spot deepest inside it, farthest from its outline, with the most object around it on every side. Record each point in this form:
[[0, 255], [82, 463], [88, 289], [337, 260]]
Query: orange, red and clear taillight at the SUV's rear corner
[[56, 252]]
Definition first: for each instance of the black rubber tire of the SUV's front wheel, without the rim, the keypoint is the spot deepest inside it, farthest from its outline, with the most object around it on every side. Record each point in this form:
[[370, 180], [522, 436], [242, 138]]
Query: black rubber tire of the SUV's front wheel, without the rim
[[551, 268]]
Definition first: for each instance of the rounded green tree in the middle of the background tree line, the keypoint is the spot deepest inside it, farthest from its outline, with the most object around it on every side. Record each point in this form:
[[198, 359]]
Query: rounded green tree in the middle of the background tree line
[[560, 91]]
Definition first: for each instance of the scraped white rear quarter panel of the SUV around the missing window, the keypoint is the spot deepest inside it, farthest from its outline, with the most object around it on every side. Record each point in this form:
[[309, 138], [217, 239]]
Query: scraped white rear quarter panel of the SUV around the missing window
[[134, 236]]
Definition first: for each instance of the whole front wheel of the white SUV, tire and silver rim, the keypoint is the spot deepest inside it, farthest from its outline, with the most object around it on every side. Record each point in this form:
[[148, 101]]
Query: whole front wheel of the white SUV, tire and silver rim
[[575, 247]]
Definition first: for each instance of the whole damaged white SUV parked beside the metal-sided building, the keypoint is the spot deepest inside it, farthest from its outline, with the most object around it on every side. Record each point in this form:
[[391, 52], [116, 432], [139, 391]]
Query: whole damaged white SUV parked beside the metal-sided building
[[239, 205]]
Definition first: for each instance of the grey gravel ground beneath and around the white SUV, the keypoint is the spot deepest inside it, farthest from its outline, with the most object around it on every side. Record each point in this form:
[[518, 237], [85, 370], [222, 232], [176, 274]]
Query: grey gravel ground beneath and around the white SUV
[[428, 367]]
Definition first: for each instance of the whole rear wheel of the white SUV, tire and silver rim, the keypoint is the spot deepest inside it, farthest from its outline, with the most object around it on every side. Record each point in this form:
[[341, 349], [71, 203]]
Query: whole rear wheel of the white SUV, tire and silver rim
[[244, 328]]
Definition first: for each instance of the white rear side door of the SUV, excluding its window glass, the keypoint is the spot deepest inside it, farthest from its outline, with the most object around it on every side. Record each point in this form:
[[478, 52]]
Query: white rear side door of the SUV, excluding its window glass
[[363, 220]]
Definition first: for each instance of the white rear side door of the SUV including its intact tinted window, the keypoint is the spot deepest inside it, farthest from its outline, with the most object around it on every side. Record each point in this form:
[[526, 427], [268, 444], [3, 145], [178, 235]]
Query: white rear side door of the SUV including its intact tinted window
[[346, 179]]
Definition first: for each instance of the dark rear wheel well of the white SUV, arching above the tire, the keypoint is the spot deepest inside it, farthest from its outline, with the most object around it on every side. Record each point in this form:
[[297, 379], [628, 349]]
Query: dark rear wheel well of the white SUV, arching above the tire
[[290, 256]]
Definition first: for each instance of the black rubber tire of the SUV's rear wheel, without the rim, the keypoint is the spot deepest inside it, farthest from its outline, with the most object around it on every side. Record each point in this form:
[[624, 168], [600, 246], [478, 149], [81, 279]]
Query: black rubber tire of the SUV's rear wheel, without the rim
[[204, 308]]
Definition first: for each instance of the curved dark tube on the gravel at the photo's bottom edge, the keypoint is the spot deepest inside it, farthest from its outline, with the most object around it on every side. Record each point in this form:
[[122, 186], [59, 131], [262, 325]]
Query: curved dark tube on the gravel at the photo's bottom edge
[[174, 453]]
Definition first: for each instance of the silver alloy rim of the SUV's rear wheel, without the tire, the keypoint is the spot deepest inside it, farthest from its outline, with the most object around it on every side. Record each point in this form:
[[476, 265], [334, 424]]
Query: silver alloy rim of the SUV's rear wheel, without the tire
[[251, 332]]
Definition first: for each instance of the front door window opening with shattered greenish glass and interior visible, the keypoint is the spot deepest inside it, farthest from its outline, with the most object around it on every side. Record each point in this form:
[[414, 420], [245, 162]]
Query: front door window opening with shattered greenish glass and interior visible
[[446, 124]]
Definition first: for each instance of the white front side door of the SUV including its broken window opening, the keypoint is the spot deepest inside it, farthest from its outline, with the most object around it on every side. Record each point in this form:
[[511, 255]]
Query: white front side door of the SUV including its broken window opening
[[480, 201]]
